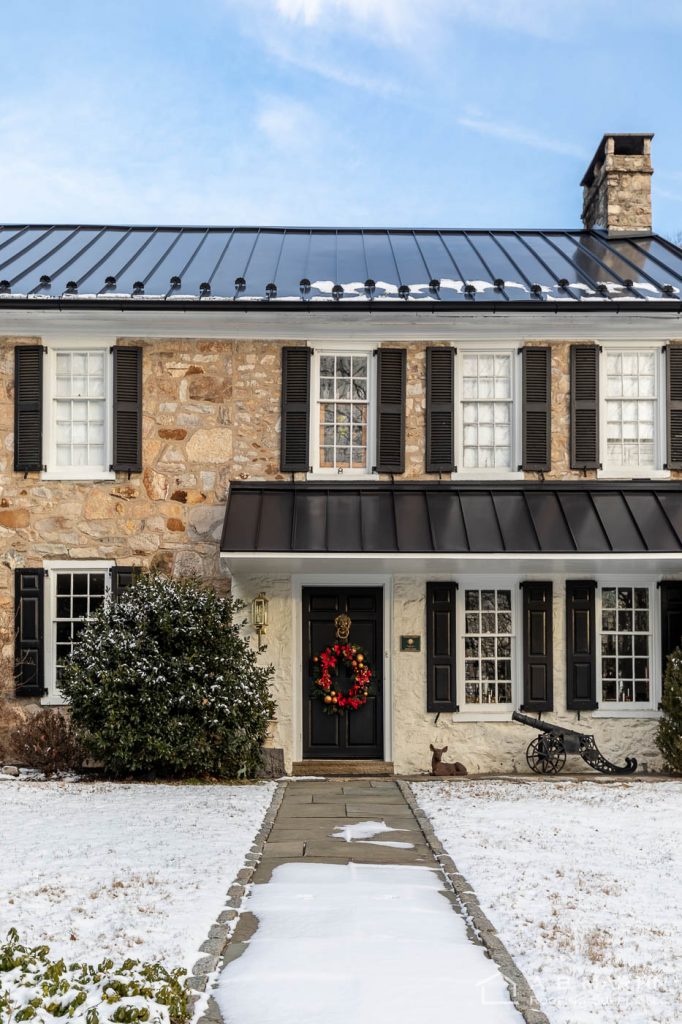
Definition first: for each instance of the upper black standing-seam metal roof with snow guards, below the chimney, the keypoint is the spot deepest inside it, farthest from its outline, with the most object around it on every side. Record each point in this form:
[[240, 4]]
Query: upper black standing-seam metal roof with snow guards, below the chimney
[[327, 268]]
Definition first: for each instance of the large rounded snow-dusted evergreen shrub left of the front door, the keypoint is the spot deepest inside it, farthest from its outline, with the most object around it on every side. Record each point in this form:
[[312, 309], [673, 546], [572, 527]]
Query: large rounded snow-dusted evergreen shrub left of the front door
[[163, 682]]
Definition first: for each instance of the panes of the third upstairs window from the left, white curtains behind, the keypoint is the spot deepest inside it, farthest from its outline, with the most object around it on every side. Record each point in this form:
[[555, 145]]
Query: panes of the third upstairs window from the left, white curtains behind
[[487, 411]]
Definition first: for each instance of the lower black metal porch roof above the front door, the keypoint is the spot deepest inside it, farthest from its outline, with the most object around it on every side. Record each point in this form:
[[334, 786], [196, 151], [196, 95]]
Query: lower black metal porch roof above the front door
[[585, 518]]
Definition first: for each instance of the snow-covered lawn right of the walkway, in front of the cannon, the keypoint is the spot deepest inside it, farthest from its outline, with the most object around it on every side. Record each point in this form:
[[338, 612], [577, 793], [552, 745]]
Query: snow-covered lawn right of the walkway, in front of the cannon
[[582, 880]]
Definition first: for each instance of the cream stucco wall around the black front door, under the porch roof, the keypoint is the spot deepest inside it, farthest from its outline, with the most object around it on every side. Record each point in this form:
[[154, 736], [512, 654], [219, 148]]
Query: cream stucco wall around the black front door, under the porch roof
[[484, 746]]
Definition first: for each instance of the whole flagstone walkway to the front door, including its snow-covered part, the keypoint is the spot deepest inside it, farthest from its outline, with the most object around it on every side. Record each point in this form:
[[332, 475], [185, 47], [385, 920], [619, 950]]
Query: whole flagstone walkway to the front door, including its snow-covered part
[[351, 918]]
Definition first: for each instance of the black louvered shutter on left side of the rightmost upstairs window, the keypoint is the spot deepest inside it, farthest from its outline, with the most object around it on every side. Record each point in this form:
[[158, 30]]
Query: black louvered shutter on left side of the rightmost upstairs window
[[585, 407]]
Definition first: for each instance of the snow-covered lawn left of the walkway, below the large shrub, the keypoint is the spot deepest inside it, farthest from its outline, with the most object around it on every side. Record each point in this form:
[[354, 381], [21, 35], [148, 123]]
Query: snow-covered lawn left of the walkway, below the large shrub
[[98, 870]]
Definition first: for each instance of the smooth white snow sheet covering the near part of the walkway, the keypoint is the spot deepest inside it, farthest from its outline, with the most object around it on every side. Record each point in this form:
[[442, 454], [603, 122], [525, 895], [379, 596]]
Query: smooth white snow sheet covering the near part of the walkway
[[362, 944]]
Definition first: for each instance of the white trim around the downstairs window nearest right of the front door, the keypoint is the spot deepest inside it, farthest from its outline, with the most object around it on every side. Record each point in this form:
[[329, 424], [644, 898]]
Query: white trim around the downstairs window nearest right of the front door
[[470, 713]]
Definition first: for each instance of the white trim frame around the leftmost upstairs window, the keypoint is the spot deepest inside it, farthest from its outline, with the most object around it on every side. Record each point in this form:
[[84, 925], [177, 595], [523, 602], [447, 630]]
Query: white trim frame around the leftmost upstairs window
[[54, 473]]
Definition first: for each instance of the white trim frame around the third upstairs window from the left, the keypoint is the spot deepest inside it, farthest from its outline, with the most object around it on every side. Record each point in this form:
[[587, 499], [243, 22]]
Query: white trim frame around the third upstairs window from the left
[[515, 474]]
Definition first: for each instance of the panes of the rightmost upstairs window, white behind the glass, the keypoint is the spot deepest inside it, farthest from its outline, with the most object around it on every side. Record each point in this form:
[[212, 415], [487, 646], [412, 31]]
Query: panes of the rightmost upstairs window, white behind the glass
[[631, 410]]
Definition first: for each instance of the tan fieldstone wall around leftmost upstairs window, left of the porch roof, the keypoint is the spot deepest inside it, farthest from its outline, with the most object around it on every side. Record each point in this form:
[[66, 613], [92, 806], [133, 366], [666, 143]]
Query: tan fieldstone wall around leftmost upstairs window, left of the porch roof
[[211, 413]]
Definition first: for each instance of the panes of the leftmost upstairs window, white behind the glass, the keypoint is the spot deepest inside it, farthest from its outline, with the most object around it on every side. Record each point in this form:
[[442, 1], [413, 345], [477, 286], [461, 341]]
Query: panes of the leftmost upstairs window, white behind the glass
[[79, 410]]
